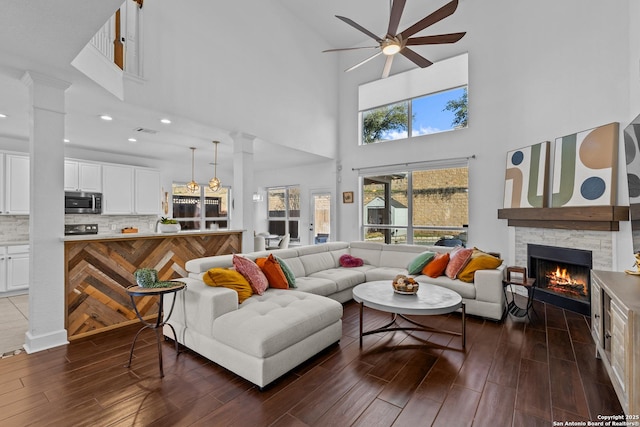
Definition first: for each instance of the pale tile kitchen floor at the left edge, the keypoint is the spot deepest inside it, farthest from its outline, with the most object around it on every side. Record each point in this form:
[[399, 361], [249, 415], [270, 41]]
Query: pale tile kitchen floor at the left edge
[[14, 323]]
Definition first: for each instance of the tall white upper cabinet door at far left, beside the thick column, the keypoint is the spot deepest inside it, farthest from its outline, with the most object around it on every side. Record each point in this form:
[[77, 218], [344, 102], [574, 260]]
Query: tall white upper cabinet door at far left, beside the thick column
[[16, 196]]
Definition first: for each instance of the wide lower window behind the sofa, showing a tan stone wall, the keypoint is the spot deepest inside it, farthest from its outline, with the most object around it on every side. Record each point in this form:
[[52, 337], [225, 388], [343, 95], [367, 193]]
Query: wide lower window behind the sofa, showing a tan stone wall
[[425, 206]]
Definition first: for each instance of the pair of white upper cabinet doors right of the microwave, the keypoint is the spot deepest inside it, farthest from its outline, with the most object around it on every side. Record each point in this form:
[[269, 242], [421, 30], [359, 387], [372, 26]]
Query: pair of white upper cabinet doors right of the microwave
[[130, 190]]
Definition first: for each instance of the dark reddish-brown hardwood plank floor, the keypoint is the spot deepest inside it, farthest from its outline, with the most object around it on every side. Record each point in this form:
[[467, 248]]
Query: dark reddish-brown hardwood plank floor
[[512, 373]]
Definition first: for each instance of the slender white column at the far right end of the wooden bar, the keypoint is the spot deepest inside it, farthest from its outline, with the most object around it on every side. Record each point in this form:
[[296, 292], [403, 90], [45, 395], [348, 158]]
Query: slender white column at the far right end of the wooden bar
[[243, 185]]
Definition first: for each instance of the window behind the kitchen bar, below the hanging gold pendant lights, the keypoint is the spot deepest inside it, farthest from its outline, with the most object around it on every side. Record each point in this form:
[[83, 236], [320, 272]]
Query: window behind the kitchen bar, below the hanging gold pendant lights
[[187, 207]]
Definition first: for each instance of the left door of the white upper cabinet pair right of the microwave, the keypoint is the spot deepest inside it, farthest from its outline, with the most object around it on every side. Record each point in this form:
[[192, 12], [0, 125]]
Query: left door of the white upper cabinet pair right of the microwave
[[117, 189]]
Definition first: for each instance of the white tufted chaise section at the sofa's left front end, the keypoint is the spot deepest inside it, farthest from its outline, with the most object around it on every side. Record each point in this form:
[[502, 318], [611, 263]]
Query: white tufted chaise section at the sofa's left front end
[[265, 337]]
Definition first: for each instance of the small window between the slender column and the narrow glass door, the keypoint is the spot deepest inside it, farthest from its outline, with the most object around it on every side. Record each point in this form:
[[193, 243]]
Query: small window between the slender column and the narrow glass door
[[284, 211]]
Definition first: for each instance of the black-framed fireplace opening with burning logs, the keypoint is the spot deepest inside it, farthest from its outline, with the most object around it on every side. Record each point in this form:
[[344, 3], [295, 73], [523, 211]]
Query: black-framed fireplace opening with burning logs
[[562, 276]]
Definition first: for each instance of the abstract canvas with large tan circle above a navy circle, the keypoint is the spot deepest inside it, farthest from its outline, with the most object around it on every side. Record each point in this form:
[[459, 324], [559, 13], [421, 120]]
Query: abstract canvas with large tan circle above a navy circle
[[585, 168]]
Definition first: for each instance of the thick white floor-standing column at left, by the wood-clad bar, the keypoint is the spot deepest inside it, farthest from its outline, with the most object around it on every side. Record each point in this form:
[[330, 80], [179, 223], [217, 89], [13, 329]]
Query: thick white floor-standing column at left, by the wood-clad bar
[[46, 219]]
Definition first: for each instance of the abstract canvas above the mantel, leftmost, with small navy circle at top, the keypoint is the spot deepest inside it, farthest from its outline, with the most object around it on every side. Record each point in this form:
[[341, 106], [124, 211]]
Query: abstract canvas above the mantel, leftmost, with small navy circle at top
[[525, 184]]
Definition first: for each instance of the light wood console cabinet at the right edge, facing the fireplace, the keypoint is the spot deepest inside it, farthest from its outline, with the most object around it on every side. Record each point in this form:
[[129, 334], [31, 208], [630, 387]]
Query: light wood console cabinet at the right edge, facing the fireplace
[[615, 327]]
